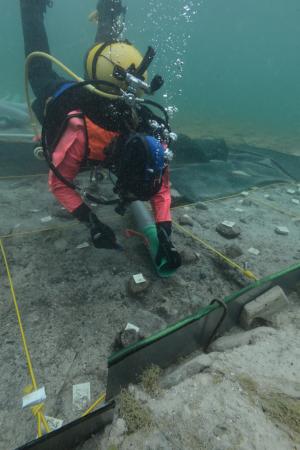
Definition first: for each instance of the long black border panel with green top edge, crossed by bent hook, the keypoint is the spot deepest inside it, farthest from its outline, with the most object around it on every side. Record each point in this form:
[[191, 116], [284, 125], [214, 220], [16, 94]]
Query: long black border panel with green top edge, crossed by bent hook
[[191, 334]]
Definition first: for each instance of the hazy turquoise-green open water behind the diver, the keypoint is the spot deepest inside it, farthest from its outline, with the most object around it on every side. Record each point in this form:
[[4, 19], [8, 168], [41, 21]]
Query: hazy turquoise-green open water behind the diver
[[231, 66]]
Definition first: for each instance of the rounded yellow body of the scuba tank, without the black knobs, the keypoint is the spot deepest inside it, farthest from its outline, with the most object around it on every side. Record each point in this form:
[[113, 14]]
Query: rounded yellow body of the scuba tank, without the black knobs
[[109, 61]]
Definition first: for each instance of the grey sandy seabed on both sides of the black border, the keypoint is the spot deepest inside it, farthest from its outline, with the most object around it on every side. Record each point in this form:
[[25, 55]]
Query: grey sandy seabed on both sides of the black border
[[74, 302]]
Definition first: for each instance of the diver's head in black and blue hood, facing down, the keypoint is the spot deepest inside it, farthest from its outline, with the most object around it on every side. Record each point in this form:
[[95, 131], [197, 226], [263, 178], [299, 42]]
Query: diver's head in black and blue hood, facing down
[[139, 164]]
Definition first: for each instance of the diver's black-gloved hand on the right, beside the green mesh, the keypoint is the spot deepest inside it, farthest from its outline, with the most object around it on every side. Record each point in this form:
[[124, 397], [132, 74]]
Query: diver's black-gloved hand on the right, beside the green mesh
[[166, 249]]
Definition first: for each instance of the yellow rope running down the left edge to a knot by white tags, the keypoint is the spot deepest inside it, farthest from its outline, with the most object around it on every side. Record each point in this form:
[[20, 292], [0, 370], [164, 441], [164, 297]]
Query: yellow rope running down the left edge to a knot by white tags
[[38, 409]]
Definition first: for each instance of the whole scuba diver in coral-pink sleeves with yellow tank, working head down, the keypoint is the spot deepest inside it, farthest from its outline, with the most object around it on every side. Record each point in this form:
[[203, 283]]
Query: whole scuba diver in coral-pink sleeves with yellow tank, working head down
[[102, 120]]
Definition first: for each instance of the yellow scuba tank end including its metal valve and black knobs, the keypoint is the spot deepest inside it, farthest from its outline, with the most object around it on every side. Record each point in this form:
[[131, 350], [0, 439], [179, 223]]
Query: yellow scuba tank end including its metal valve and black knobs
[[121, 66]]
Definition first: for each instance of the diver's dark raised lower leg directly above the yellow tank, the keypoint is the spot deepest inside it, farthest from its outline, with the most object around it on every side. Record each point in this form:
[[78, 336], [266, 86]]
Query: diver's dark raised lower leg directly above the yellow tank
[[111, 19]]
